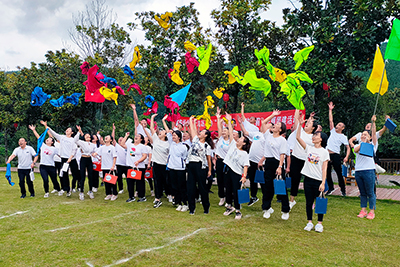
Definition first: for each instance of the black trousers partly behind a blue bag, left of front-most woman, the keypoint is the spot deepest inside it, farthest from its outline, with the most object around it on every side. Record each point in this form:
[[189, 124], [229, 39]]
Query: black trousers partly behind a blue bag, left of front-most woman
[[270, 166]]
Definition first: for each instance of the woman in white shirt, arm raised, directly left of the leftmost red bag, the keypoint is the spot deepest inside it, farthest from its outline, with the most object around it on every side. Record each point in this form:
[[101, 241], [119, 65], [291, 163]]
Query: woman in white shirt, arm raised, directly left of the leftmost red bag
[[87, 151]]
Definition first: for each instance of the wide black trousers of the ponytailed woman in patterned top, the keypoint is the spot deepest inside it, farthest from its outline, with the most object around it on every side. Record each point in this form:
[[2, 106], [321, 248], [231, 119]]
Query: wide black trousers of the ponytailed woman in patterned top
[[197, 176]]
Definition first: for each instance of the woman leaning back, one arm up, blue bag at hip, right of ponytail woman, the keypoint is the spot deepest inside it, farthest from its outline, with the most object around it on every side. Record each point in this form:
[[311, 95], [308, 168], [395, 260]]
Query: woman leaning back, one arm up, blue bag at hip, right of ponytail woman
[[237, 164]]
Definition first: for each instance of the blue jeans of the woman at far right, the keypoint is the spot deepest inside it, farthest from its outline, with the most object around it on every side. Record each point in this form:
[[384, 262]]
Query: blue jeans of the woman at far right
[[366, 183]]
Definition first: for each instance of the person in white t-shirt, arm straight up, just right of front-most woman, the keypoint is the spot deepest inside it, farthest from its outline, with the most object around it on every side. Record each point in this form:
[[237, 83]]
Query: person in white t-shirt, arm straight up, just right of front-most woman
[[335, 140]]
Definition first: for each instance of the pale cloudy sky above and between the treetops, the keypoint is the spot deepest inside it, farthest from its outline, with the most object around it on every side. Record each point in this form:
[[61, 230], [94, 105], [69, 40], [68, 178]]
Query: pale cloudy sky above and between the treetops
[[30, 28]]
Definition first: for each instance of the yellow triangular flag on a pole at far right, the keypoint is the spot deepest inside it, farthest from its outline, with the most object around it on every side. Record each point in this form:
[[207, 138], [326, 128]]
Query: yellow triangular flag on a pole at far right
[[376, 75]]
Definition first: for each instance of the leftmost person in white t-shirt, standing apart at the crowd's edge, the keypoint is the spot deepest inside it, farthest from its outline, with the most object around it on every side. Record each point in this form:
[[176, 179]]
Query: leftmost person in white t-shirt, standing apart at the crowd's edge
[[25, 165]]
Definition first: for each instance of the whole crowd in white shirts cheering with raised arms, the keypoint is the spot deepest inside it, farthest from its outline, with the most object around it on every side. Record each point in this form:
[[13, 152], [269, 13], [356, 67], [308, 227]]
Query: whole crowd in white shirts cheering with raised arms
[[183, 161]]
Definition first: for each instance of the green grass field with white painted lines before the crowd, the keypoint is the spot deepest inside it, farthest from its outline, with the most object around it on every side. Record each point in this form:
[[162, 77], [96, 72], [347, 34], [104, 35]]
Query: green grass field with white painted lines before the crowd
[[61, 231]]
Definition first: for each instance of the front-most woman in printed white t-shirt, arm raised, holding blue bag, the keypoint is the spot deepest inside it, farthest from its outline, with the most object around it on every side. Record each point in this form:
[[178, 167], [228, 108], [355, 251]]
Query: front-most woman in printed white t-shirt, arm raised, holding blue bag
[[314, 170]]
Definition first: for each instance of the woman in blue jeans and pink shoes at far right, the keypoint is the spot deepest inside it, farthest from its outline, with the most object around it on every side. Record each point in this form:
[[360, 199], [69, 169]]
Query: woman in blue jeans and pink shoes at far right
[[365, 174]]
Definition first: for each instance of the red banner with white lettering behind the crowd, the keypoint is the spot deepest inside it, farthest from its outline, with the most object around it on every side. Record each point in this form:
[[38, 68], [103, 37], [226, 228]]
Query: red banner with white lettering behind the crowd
[[286, 116]]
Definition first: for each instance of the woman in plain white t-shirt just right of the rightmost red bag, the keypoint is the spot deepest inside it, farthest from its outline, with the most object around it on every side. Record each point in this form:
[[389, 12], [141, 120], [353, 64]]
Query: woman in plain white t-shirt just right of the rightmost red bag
[[159, 159]]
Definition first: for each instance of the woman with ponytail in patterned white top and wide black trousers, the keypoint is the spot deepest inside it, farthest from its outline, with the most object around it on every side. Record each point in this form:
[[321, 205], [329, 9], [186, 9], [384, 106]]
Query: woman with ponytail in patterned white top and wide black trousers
[[199, 167]]
